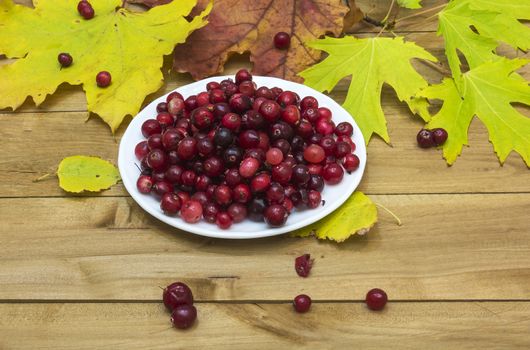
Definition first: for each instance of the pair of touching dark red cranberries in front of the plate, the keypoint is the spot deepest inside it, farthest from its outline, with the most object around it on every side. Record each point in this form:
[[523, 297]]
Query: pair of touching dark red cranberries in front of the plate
[[178, 299]]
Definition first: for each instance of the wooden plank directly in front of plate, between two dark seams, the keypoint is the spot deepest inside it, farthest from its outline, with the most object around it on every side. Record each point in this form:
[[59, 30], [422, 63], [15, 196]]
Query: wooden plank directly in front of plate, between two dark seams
[[450, 247]]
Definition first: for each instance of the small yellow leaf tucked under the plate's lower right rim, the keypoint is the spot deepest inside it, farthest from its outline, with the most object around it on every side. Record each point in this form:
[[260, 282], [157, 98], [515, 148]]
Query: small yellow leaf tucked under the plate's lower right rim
[[357, 215]]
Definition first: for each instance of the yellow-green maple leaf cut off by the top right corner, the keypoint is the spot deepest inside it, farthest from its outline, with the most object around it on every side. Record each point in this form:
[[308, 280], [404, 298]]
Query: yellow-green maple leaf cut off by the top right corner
[[476, 27]]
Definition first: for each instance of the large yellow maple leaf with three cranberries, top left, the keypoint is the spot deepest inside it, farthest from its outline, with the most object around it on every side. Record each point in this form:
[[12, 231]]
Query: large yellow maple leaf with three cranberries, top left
[[129, 45]]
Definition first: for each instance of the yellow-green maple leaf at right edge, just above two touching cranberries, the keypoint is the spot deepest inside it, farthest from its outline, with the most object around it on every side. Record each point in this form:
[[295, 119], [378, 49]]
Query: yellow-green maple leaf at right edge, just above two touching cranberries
[[488, 92]]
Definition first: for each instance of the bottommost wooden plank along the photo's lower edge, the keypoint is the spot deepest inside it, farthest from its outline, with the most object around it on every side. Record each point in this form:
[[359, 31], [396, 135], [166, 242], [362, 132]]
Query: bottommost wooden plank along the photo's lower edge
[[471, 325]]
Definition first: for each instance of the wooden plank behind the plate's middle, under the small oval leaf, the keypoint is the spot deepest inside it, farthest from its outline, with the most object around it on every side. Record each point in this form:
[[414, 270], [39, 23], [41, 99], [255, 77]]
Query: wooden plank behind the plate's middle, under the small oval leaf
[[34, 144]]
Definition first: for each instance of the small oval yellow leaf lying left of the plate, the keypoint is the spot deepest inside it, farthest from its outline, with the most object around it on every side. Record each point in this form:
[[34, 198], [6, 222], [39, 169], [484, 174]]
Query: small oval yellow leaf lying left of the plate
[[83, 173]]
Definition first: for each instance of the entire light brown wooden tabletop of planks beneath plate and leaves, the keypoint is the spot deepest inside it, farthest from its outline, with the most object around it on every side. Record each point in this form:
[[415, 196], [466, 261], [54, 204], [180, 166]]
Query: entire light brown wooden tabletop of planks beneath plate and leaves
[[84, 271]]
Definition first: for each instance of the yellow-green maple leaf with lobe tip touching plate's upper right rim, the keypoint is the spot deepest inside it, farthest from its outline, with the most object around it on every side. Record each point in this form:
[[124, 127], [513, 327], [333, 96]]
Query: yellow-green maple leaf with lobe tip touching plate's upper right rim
[[370, 62]]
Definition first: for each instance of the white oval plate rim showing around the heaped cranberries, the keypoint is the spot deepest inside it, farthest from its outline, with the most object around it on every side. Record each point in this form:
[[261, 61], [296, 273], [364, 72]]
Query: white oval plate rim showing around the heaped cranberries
[[334, 195]]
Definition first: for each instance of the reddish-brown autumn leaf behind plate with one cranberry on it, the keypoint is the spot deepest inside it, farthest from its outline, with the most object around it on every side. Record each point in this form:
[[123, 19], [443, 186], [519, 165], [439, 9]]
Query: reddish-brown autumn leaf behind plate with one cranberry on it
[[239, 26]]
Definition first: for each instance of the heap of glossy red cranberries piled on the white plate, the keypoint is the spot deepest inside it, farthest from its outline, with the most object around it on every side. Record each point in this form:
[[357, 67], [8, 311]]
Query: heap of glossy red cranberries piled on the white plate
[[237, 151]]
